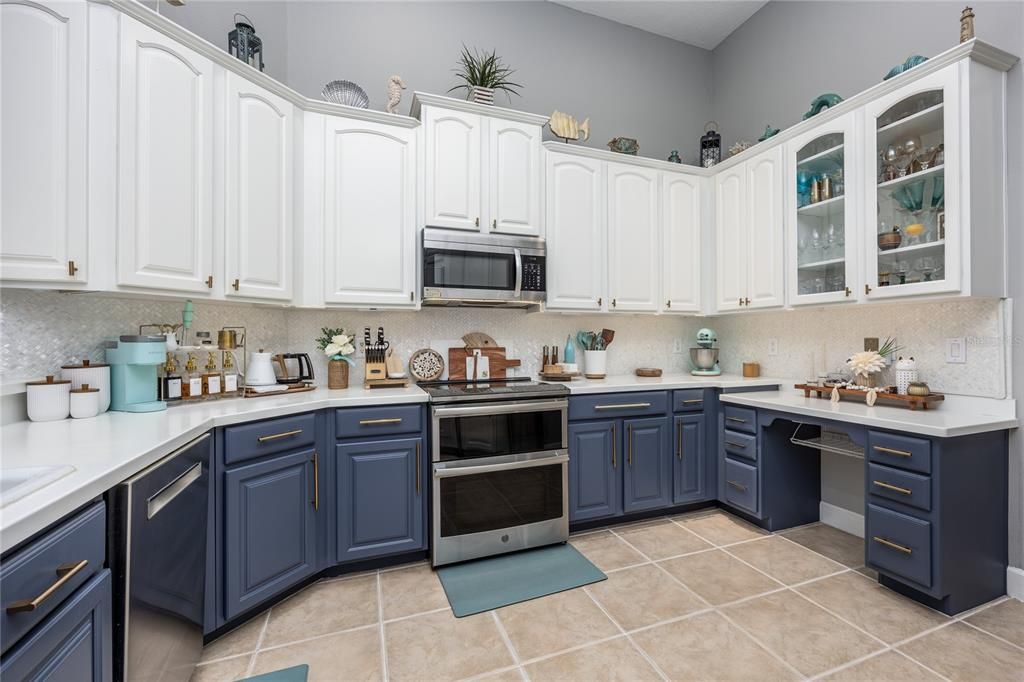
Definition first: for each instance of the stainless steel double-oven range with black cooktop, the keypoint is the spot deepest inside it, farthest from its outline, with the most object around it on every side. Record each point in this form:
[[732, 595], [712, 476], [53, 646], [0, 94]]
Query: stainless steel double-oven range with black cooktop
[[500, 460]]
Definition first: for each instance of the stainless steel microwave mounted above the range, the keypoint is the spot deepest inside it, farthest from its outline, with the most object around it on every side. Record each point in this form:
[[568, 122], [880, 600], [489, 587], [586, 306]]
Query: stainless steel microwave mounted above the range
[[483, 270]]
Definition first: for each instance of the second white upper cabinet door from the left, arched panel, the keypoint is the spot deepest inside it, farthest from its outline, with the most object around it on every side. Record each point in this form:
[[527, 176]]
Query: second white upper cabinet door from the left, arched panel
[[165, 160]]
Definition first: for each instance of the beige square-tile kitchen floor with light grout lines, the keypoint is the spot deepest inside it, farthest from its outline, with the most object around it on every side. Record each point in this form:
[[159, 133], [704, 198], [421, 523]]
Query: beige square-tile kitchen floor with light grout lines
[[703, 596]]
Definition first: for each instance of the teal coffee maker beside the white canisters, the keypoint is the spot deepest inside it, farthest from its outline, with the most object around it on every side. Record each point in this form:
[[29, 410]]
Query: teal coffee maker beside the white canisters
[[134, 362]]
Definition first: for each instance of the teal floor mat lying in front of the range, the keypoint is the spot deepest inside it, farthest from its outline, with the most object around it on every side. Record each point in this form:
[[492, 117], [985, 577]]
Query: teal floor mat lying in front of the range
[[499, 581]]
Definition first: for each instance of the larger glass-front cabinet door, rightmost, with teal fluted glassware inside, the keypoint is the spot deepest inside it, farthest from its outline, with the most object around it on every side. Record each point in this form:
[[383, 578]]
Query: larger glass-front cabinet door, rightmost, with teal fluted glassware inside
[[914, 137]]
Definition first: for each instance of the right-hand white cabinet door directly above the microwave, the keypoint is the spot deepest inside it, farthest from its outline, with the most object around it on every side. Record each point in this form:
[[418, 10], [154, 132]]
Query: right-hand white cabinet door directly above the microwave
[[515, 164]]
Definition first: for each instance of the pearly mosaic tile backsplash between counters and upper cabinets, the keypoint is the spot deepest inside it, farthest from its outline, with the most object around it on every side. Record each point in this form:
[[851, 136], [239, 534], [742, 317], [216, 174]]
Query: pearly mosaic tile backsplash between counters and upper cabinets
[[41, 331]]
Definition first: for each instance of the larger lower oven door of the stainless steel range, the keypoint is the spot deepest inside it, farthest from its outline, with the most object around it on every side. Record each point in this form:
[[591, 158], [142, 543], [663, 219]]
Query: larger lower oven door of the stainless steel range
[[502, 504]]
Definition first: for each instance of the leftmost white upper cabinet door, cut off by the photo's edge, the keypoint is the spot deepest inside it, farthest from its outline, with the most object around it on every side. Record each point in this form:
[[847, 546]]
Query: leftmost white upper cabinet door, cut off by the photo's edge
[[44, 78]]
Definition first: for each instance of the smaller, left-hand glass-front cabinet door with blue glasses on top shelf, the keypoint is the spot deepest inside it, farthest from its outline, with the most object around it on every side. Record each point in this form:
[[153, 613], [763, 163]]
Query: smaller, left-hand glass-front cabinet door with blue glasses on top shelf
[[822, 227]]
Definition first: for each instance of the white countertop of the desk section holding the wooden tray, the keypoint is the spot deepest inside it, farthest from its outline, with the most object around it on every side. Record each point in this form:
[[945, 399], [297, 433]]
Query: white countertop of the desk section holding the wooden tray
[[954, 418]]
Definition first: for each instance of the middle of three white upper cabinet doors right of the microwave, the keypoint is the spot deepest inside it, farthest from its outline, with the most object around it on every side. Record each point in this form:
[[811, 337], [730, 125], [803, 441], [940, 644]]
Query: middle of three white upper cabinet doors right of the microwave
[[634, 266]]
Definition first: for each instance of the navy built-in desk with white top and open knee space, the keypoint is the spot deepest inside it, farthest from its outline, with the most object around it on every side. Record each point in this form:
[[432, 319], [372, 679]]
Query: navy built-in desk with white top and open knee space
[[935, 502]]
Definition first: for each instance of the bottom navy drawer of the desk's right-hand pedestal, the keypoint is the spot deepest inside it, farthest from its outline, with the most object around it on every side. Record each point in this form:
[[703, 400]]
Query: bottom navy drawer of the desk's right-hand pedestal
[[900, 544]]
